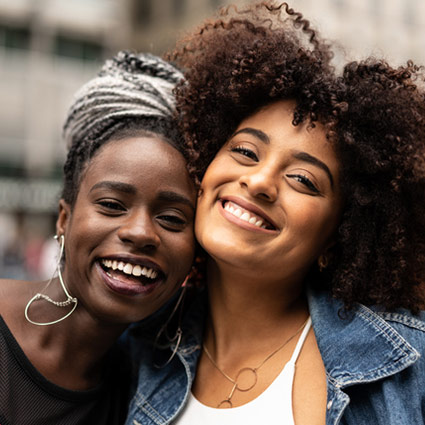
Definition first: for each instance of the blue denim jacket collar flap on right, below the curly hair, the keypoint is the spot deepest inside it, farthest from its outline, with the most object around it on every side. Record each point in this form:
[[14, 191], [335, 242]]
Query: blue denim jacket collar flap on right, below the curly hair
[[360, 348]]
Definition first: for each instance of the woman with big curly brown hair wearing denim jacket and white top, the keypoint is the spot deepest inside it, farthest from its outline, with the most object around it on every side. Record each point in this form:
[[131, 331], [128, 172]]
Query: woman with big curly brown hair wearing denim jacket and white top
[[311, 217]]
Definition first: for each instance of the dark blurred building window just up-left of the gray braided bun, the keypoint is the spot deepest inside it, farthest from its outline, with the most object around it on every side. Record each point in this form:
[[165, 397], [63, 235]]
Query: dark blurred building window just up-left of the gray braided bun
[[78, 49]]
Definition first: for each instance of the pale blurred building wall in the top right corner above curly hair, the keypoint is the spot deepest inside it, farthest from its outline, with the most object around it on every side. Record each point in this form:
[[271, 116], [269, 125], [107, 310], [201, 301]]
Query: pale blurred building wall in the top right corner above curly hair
[[393, 29]]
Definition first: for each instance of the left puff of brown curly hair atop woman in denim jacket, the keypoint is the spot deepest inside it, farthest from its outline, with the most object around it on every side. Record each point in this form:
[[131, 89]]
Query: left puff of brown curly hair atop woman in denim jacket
[[244, 60]]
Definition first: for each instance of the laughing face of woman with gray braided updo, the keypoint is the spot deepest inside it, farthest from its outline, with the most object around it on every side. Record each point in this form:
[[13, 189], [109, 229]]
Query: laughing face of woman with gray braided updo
[[129, 237]]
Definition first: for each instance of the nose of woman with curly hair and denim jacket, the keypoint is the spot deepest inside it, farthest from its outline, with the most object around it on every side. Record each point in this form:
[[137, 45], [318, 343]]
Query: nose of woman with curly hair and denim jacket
[[260, 182]]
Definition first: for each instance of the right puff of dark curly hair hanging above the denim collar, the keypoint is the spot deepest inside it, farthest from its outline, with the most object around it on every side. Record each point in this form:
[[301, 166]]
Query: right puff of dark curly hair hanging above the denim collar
[[380, 137]]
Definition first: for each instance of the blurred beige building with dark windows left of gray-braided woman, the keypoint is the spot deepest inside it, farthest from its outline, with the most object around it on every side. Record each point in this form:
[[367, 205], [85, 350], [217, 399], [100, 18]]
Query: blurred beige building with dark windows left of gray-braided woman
[[48, 48]]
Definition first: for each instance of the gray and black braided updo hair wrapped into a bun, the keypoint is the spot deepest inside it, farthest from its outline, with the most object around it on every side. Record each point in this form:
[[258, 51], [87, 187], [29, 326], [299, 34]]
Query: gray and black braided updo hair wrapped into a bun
[[131, 96]]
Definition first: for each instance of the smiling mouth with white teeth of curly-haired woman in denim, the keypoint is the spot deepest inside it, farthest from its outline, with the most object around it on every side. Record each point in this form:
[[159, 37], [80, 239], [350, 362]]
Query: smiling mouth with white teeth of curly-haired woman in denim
[[248, 213]]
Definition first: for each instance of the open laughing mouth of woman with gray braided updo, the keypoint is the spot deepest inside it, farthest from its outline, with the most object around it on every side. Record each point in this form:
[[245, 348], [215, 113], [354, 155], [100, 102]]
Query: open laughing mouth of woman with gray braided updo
[[130, 277]]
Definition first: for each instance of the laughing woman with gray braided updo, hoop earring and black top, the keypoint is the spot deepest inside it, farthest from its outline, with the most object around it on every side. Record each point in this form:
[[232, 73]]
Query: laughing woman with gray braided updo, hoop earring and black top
[[125, 231]]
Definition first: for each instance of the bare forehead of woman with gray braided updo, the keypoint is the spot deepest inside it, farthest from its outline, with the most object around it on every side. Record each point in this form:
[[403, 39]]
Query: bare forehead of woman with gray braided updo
[[139, 160]]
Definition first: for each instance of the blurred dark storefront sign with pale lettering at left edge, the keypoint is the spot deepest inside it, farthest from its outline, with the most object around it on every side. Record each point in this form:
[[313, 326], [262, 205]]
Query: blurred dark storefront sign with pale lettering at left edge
[[33, 196]]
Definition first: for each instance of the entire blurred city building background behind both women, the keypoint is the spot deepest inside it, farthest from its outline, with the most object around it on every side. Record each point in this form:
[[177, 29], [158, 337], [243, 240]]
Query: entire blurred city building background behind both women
[[49, 48]]
